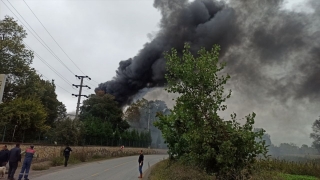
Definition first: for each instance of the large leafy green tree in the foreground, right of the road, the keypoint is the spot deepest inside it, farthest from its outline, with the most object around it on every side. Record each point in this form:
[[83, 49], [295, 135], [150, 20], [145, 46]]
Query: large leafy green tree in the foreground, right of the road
[[193, 131]]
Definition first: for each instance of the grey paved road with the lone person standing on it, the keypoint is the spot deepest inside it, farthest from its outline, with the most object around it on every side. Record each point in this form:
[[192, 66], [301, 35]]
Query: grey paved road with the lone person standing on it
[[125, 168]]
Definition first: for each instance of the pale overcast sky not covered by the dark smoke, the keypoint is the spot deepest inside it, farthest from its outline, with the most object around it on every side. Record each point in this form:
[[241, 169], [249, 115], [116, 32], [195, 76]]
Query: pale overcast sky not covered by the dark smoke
[[95, 36]]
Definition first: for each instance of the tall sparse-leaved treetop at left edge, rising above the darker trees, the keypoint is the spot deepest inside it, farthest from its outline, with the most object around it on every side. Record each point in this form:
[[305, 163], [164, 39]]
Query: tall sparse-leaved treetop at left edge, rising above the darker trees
[[15, 60]]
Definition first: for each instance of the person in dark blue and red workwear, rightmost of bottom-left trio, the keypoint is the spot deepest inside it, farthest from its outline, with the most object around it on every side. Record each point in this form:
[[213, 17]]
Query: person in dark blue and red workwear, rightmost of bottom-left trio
[[30, 153]]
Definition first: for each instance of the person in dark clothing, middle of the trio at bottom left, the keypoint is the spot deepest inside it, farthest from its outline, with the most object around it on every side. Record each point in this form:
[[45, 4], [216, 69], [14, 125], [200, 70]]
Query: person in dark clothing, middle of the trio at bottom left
[[14, 159]]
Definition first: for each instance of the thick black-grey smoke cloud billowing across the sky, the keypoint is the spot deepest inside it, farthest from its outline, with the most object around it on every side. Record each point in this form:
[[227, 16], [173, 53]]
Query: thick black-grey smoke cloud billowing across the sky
[[270, 52]]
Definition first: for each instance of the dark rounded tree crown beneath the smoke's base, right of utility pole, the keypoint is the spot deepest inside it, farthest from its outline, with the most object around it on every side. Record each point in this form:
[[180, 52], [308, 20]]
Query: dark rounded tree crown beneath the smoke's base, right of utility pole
[[106, 109]]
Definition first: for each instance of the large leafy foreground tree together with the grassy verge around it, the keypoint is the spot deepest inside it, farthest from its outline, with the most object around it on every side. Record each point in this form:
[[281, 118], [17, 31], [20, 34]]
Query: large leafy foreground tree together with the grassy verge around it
[[203, 145]]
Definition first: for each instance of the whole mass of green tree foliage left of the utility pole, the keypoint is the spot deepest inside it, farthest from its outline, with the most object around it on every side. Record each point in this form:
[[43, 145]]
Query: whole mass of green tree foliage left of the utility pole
[[36, 98]]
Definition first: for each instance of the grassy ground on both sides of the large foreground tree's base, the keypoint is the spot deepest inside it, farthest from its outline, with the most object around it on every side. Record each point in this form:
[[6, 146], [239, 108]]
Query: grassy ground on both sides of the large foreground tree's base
[[274, 169]]
